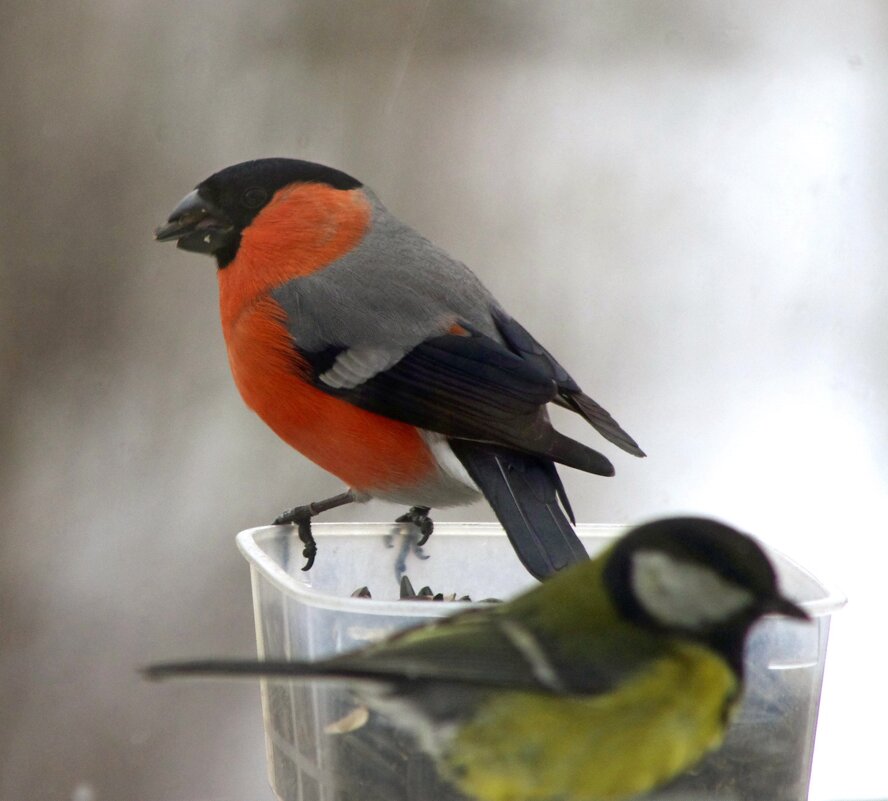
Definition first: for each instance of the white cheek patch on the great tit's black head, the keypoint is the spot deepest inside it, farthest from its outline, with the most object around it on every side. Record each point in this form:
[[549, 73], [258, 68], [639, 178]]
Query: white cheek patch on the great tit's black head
[[684, 594]]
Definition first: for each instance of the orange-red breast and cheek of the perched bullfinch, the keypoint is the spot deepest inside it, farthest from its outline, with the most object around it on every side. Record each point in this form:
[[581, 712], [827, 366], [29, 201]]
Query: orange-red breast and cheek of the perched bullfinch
[[303, 229]]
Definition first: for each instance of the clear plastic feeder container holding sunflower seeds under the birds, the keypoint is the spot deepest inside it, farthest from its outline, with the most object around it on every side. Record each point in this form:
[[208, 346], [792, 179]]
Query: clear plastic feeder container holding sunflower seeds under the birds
[[766, 757]]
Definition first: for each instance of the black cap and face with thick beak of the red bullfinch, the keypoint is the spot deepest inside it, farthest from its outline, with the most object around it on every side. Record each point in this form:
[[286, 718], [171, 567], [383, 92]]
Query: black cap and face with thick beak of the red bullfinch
[[210, 219]]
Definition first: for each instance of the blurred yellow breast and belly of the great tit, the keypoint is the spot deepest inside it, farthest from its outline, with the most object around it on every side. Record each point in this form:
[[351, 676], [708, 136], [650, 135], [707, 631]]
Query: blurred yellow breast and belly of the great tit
[[534, 747]]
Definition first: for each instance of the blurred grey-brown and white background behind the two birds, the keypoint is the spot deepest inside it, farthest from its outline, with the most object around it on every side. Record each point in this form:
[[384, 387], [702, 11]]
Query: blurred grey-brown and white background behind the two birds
[[685, 201]]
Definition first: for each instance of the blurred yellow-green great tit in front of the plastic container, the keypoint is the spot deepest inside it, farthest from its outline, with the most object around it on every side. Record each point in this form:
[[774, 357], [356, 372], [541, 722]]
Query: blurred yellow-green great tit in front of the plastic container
[[604, 682]]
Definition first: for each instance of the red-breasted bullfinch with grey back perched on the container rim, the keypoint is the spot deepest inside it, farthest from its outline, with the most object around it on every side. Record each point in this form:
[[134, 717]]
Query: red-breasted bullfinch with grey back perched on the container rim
[[383, 359]]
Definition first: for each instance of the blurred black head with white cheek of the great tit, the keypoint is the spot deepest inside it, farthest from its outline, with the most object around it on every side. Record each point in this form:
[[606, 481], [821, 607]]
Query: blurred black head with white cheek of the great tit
[[695, 577]]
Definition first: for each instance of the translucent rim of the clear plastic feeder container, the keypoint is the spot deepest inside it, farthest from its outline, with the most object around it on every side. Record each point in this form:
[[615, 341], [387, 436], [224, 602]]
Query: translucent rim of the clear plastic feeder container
[[248, 543]]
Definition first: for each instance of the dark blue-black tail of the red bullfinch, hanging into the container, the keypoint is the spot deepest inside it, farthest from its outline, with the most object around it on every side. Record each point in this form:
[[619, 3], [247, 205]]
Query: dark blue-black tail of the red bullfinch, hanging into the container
[[524, 491]]
